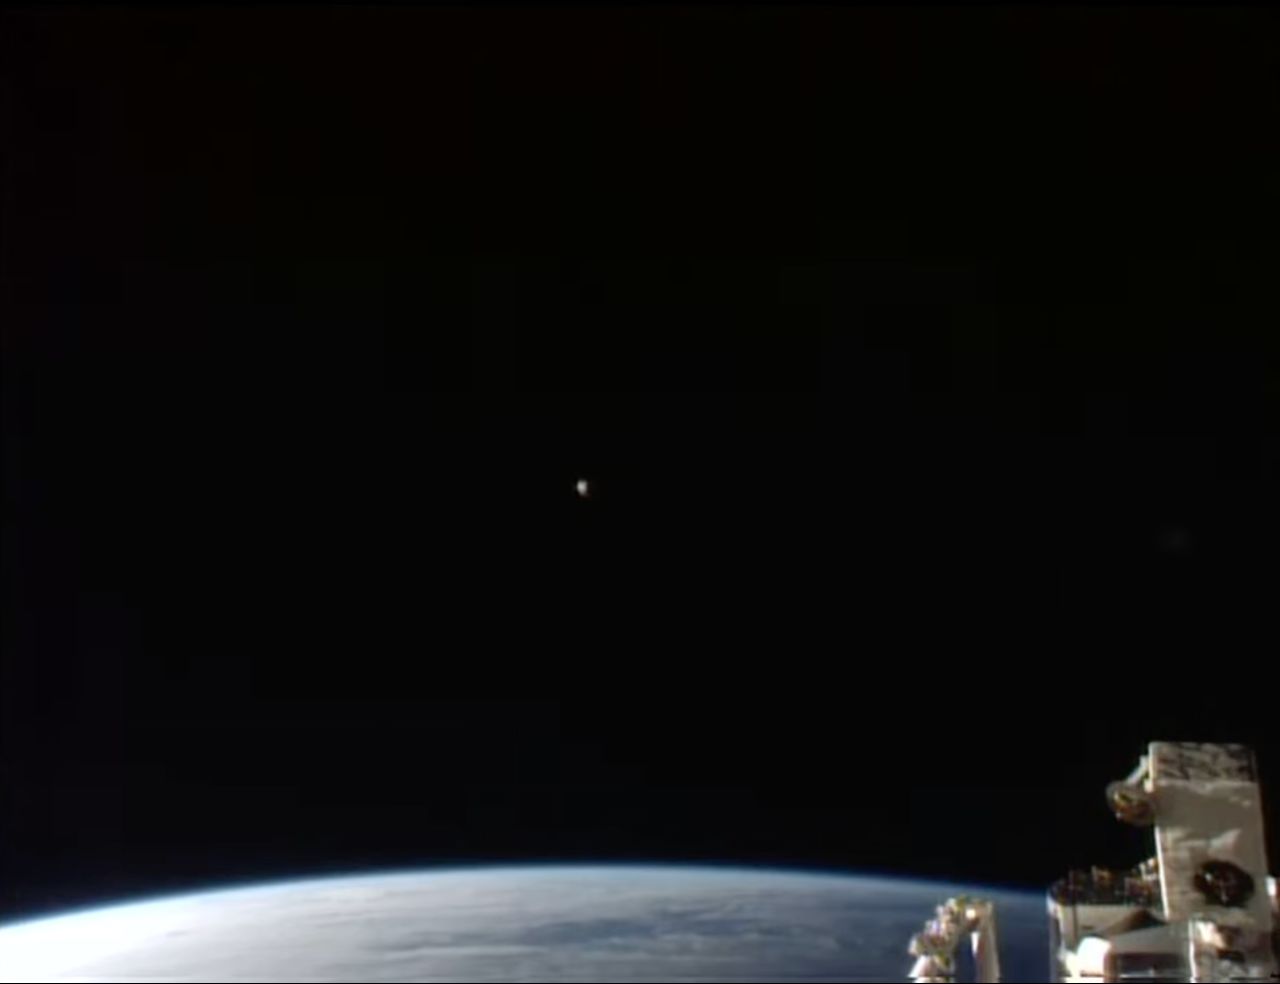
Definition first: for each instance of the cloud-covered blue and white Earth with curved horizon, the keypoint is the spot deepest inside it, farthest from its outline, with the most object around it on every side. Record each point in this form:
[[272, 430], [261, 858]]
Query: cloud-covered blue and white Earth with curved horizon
[[600, 922]]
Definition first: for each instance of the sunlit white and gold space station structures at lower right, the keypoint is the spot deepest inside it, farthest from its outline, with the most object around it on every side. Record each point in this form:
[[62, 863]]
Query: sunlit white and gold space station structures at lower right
[[1203, 909]]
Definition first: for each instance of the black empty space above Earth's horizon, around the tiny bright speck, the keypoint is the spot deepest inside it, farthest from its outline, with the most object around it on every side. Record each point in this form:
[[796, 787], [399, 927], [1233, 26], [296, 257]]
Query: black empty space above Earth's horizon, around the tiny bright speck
[[924, 363]]
